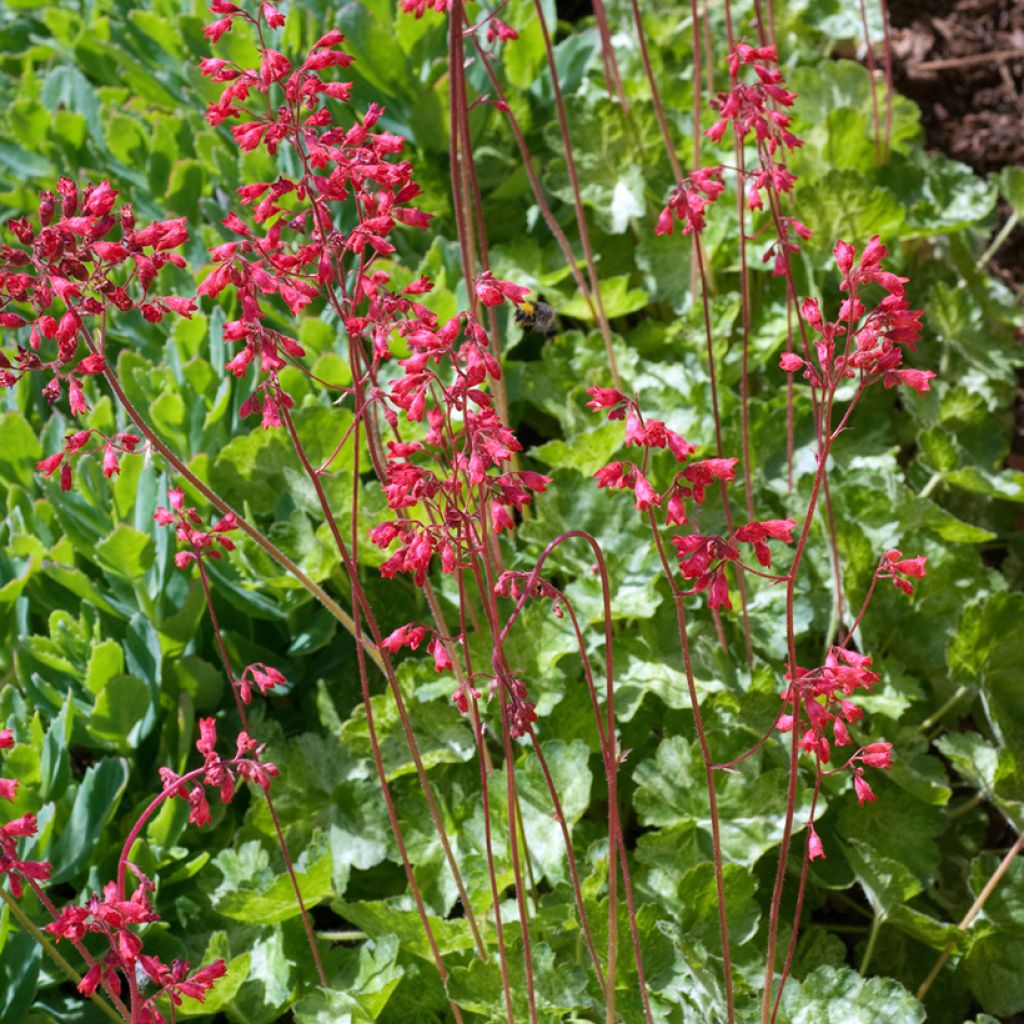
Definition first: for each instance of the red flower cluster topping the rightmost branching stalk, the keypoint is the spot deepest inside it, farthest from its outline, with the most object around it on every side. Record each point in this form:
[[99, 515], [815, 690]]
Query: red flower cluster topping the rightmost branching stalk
[[863, 344]]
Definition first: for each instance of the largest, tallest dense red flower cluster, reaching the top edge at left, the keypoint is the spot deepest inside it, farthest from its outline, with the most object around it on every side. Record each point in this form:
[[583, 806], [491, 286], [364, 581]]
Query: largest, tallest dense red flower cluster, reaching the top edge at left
[[292, 249]]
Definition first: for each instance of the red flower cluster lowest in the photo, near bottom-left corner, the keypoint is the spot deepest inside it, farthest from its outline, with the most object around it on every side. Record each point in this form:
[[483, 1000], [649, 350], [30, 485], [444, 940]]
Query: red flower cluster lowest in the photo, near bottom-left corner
[[115, 918]]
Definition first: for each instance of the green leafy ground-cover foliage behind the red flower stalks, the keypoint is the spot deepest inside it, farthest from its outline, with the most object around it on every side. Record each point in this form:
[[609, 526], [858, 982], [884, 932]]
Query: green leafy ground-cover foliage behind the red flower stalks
[[111, 662]]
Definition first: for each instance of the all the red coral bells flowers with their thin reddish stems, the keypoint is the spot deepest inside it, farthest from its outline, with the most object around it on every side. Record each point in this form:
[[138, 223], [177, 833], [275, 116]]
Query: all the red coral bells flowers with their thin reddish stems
[[430, 425]]
